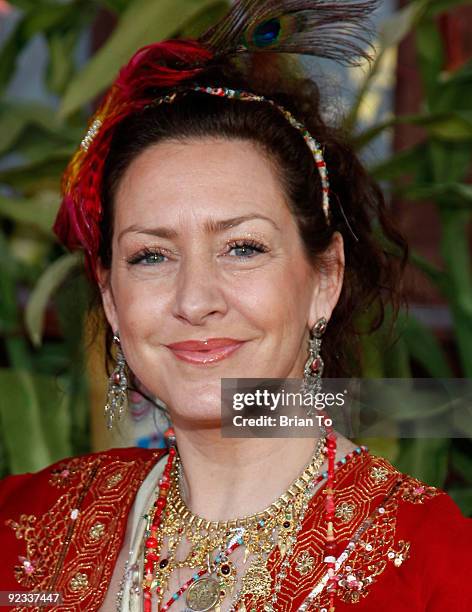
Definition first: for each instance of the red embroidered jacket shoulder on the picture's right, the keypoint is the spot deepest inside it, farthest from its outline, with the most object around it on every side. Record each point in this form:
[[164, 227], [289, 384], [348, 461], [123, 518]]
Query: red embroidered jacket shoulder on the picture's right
[[405, 542]]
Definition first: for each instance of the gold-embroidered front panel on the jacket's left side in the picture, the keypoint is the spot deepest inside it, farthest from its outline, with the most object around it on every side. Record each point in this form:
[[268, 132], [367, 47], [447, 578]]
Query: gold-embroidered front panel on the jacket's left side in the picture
[[60, 543]]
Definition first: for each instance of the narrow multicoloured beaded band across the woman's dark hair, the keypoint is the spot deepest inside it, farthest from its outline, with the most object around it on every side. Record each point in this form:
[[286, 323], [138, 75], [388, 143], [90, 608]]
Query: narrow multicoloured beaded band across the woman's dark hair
[[238, 94]]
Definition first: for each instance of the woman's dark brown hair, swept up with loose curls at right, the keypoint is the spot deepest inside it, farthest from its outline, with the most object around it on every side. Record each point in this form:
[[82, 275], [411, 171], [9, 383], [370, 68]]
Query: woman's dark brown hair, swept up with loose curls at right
[[372, 278]]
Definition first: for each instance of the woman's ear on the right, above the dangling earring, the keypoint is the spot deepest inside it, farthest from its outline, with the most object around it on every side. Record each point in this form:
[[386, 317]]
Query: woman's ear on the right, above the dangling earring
[[330, 274]]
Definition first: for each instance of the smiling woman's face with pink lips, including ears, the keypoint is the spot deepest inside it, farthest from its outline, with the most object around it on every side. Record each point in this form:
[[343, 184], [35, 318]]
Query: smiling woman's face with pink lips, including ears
[[205, 247]]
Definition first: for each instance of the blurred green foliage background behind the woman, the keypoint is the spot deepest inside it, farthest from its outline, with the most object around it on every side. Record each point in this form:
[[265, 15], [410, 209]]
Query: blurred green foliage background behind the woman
[[410, 117]]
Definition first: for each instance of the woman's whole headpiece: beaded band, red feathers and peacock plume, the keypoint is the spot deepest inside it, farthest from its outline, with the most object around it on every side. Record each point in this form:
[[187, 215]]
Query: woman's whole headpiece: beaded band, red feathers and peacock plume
[[321, 28]]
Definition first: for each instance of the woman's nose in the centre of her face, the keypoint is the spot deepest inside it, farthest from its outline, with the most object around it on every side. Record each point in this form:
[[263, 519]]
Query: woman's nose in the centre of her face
[[199, 294]]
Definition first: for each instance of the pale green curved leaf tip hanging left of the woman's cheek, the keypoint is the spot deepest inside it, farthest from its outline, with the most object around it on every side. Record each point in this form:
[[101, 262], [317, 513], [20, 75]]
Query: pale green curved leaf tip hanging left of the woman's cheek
[[49, 282]]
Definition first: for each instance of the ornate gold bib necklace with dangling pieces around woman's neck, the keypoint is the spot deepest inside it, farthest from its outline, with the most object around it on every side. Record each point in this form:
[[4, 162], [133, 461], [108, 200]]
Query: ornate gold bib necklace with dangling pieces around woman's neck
[[259, 533]]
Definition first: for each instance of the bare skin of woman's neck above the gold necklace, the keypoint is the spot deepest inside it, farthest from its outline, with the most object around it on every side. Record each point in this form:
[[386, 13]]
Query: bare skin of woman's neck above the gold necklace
[[227, 478]]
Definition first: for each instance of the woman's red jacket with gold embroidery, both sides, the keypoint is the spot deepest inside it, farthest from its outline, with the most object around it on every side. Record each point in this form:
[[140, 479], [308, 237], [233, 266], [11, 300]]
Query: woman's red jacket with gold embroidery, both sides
[[61, 530]]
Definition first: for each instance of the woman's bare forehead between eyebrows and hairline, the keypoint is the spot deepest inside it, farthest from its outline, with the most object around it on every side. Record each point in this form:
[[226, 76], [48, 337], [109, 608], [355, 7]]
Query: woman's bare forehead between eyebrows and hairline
[[205, 177]]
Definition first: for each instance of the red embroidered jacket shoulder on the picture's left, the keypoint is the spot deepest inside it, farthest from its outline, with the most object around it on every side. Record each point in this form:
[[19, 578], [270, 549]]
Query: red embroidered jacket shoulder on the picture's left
[[77, 504]]
